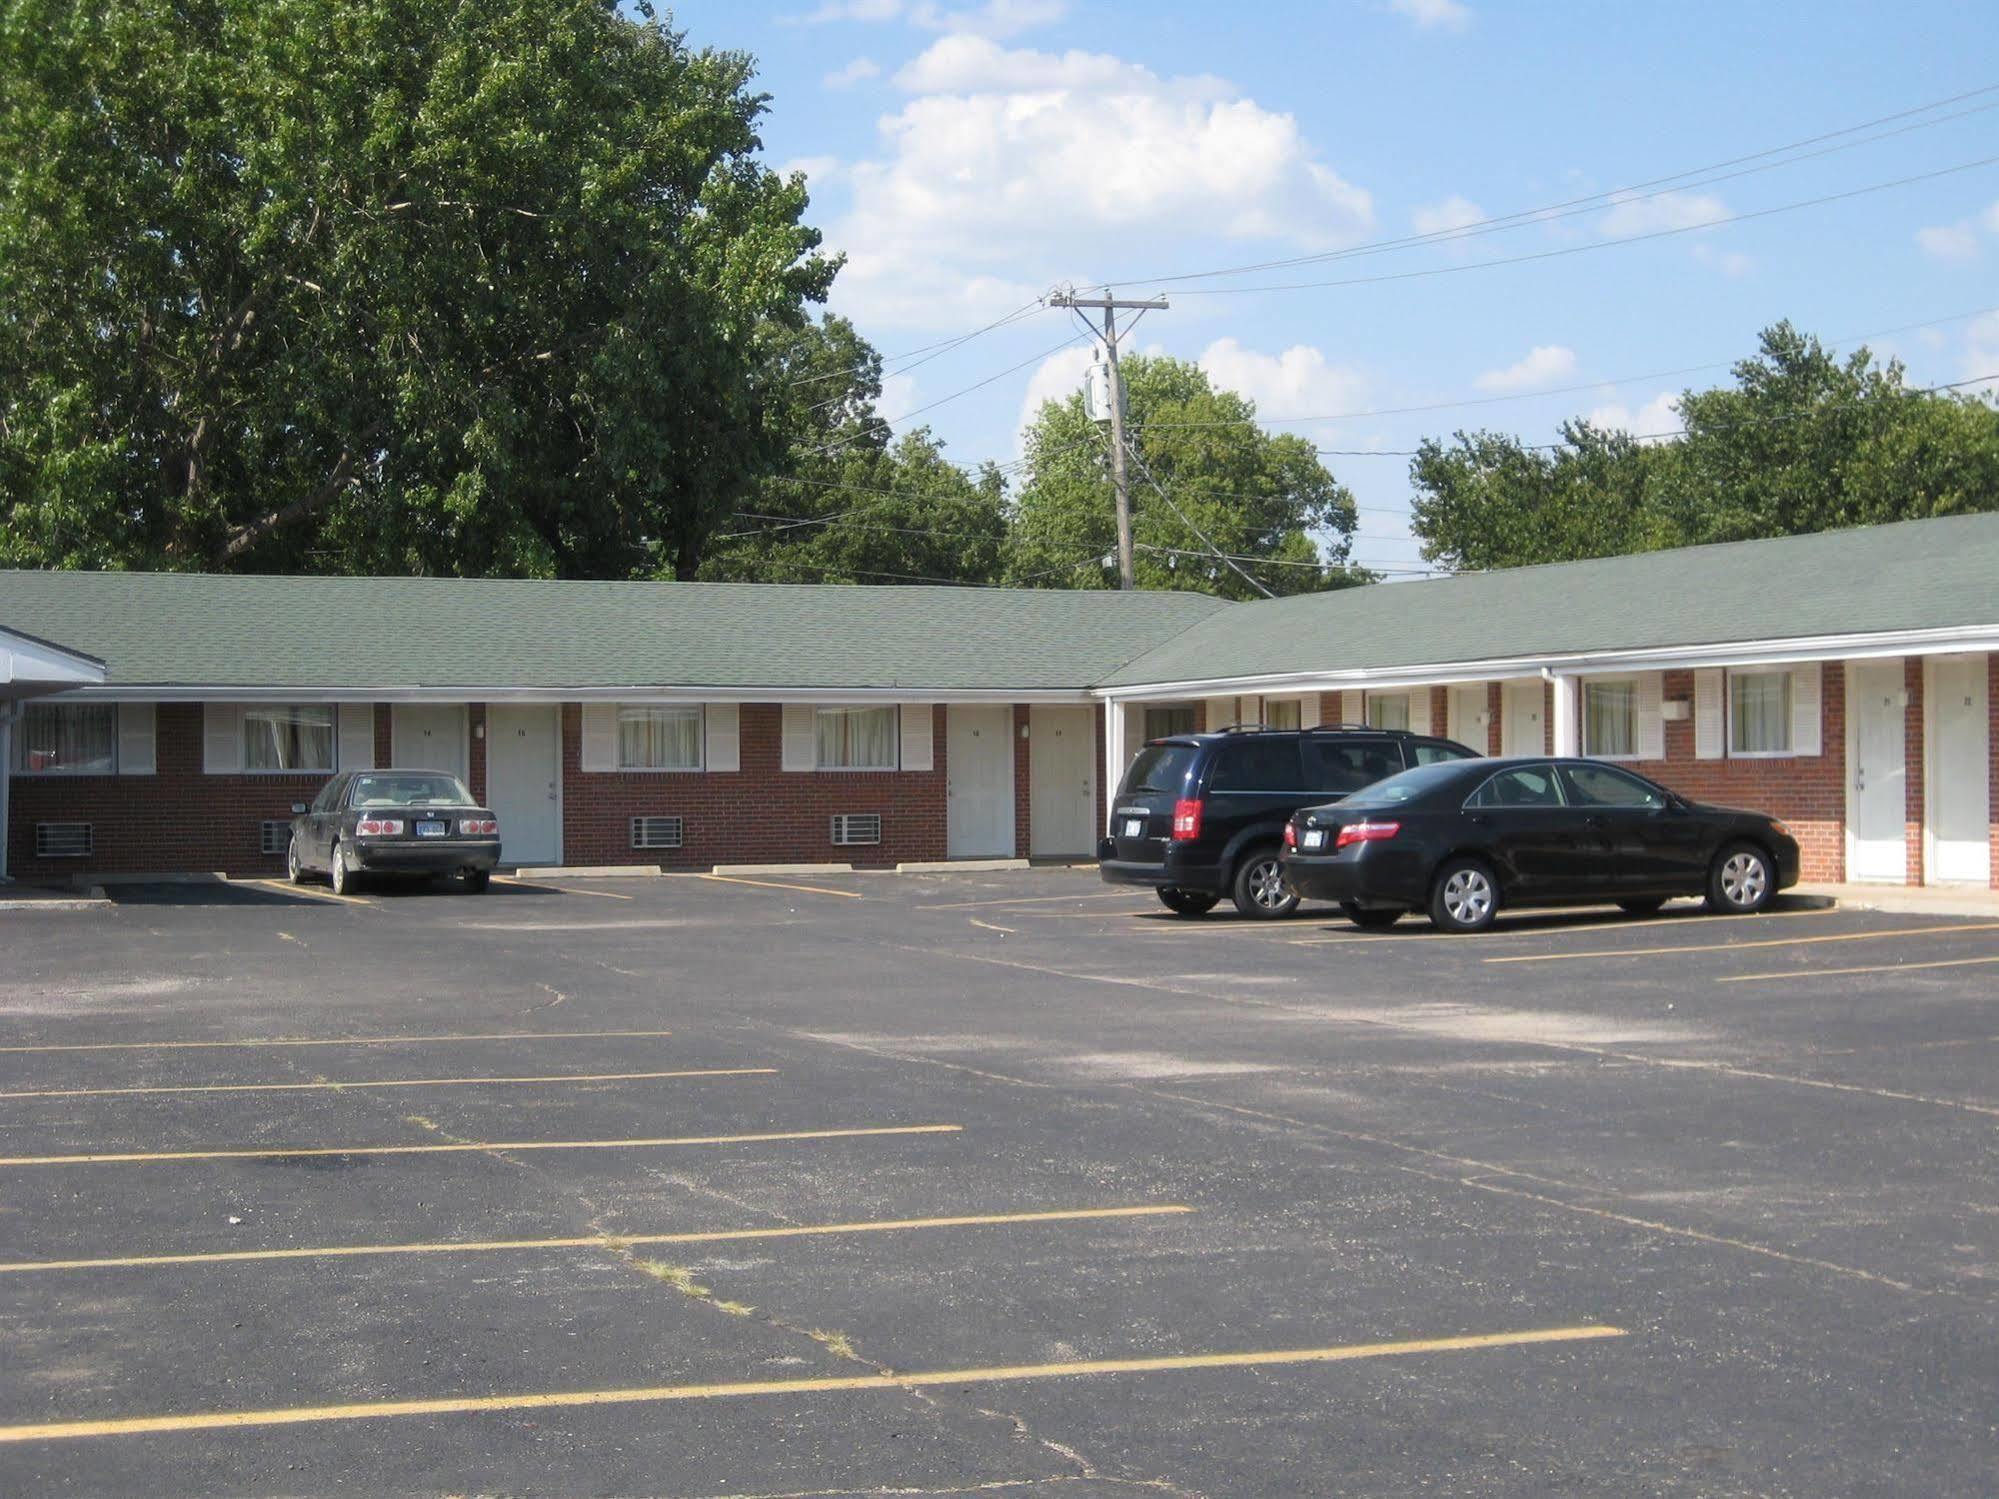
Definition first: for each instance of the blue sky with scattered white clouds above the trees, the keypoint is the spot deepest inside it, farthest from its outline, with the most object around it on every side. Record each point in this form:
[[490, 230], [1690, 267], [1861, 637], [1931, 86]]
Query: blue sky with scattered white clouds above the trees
[[969, 155]]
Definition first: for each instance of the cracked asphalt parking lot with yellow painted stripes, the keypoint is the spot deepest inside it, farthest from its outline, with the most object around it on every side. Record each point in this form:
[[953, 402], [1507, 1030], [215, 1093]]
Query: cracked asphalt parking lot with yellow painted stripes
[[989, 1184]]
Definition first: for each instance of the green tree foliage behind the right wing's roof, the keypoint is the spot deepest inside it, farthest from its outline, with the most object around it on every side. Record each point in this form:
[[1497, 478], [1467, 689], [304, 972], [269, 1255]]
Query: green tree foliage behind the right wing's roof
[[1800, 443]]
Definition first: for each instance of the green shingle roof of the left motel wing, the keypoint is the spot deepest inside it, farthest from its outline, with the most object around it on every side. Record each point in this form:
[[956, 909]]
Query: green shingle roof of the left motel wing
[[449, 633]]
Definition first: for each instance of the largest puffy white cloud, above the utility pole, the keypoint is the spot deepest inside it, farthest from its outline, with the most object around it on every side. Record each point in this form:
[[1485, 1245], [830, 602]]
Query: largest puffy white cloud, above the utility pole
[[1012, 169]]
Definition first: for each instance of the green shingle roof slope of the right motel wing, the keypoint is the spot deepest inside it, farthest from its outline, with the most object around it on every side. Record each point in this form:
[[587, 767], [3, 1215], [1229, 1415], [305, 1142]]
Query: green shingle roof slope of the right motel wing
[[1916, 575]]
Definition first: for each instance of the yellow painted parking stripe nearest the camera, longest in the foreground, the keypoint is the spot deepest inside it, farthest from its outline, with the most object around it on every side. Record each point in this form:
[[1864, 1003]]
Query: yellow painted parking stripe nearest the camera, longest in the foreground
[[661, 1394]]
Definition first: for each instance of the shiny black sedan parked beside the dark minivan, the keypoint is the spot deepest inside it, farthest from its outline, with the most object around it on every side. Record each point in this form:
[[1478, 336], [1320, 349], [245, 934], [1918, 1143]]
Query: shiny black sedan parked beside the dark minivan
[[1464, 838]]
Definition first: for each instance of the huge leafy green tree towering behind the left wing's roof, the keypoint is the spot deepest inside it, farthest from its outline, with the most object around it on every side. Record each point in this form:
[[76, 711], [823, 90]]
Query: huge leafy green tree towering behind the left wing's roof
[[385, 285]]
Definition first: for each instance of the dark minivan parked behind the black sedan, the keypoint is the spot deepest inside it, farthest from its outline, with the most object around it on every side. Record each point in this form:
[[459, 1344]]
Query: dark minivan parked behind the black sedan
[[1202, 816]]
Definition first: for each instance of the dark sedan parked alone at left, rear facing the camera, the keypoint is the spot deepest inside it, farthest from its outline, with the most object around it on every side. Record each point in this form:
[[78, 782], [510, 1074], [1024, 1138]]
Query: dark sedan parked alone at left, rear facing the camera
[[409, 822]]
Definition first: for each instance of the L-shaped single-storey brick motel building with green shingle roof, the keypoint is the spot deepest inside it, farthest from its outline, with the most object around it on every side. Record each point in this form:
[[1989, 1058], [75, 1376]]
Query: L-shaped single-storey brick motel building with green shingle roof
[[1844, 683]]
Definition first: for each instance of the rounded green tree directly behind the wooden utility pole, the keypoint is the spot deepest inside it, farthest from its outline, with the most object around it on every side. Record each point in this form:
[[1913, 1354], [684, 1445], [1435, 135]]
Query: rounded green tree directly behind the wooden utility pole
[[1200, 465]]
